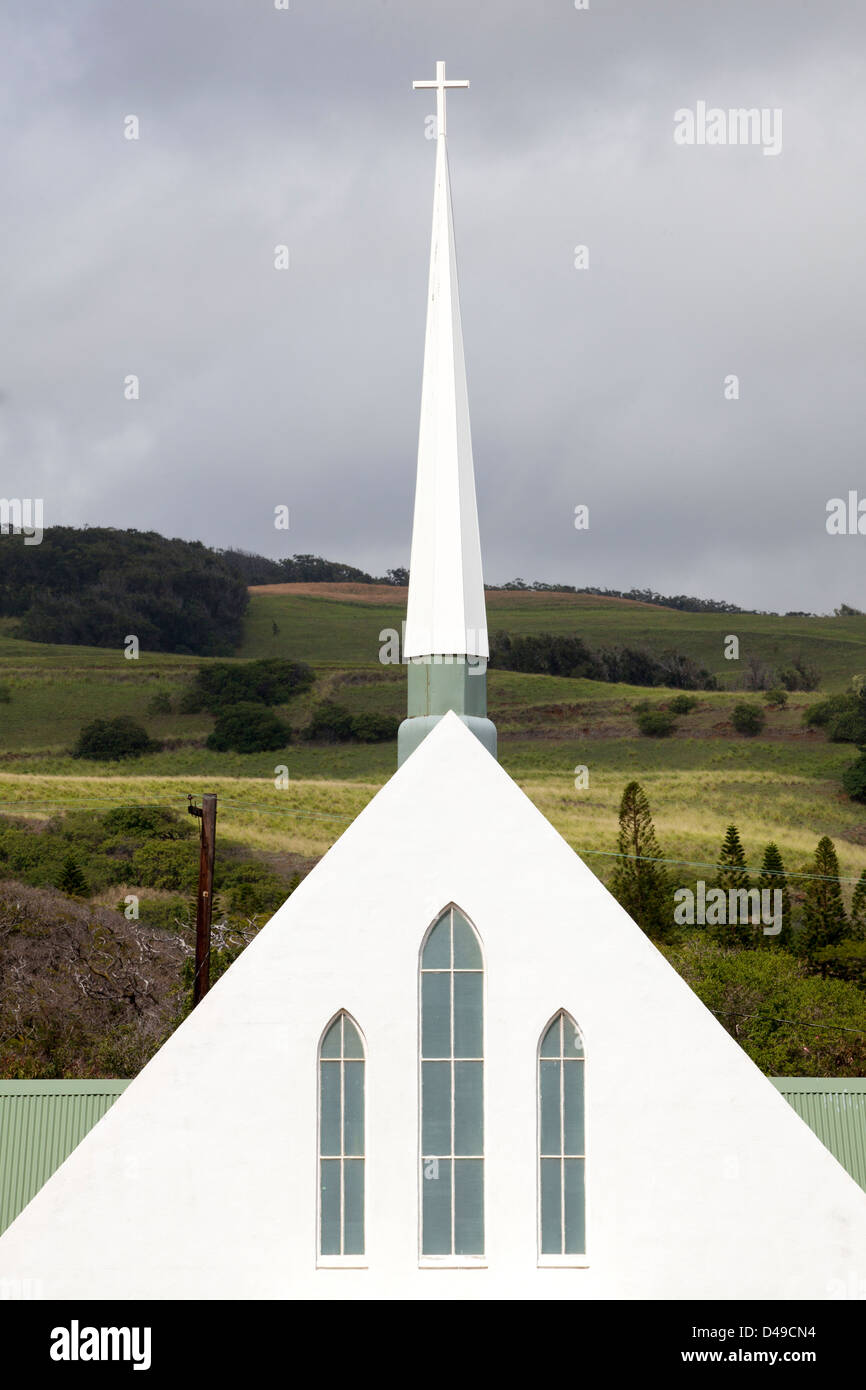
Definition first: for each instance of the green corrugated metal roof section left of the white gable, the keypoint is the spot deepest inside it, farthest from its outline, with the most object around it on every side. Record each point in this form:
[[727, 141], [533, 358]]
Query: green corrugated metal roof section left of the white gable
[[41, 1124]]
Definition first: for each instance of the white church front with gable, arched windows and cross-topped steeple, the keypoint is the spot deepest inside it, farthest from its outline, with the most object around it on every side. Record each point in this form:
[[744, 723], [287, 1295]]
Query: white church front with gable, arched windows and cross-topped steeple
[[451, 1067]]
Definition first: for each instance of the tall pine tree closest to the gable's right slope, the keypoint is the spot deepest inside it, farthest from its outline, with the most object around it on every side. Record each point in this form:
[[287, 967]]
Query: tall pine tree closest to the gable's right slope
[[640, 882]]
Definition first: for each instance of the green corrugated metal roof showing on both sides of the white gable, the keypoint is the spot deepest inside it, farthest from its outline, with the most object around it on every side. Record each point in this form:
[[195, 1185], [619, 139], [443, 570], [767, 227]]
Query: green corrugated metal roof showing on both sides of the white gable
[[41, 1124]]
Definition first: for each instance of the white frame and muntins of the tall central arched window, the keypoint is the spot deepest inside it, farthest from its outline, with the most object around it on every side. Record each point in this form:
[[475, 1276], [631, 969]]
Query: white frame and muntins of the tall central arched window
[[452, 1261]]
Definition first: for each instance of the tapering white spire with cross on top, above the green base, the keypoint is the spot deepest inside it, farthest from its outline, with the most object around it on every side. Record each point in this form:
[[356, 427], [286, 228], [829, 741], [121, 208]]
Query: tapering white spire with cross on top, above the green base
[[446, 614]]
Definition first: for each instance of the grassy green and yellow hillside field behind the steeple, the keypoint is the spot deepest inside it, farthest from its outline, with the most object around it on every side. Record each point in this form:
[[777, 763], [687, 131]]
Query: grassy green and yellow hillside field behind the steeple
[[783, 785]]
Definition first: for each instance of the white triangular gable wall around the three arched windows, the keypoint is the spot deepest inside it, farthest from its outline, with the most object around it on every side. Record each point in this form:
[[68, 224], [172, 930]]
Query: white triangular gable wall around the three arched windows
[[202, 1179]]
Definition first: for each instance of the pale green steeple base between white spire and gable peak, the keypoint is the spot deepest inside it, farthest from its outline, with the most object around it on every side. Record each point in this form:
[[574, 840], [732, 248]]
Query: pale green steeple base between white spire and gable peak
[[439, 685]]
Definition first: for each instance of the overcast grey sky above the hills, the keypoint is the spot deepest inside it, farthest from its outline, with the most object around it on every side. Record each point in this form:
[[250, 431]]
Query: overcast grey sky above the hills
[[603, 387]]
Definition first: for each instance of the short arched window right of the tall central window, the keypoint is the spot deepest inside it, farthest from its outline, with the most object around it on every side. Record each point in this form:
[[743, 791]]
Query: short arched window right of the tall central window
[[562, 1149]]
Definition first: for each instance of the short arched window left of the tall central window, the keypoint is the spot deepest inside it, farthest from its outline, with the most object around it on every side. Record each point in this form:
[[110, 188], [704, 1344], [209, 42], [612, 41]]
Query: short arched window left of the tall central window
[[341, 1140]]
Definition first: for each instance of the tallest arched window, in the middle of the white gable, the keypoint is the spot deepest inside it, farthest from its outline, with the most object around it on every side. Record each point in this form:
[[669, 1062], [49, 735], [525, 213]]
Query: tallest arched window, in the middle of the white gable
[[452, 1089]]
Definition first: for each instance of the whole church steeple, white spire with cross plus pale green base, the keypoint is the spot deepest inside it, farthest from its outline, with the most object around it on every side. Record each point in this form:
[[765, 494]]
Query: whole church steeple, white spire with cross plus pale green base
[[446, 640]]
